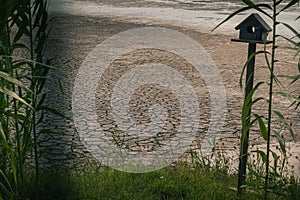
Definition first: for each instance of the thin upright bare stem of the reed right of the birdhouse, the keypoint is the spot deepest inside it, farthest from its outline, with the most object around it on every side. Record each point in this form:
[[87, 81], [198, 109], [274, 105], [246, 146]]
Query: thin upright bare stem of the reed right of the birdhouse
[[270, 99]]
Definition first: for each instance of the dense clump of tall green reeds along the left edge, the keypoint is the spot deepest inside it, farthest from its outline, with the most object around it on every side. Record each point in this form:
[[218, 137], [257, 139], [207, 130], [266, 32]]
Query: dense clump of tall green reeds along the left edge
[[23, 73]]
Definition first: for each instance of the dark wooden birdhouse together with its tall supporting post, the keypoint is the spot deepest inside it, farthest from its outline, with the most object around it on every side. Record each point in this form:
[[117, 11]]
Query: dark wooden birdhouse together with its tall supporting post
[[253, 30]]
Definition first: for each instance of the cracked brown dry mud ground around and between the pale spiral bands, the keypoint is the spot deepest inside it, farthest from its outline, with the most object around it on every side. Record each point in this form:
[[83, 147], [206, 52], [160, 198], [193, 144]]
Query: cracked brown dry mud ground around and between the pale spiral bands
[[73, 37]]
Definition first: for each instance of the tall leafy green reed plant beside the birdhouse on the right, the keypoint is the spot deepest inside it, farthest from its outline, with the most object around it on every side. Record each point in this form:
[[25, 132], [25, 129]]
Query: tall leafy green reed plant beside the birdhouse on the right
[[272, 11]]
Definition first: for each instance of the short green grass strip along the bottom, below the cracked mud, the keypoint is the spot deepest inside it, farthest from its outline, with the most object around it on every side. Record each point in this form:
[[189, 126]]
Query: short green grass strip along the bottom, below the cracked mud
[[179, 182]]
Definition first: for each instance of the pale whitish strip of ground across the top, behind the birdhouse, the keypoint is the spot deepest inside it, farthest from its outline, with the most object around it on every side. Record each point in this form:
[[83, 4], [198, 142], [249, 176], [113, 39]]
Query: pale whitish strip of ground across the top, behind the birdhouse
[[140, 12]]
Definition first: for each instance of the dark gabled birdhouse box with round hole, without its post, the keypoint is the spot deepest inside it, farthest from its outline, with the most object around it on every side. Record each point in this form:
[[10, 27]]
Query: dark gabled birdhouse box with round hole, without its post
[[253, 28]]
